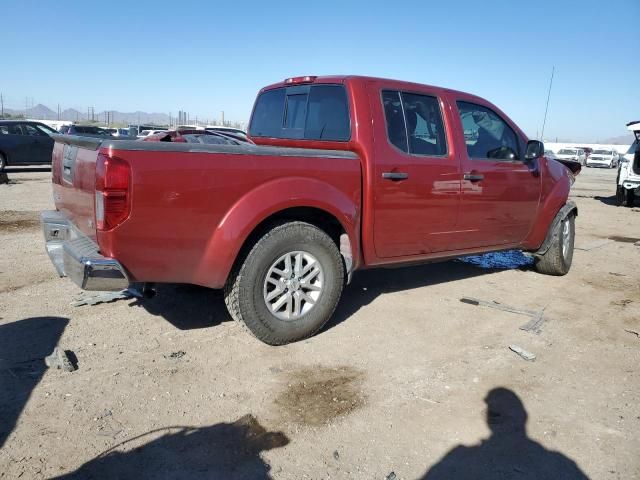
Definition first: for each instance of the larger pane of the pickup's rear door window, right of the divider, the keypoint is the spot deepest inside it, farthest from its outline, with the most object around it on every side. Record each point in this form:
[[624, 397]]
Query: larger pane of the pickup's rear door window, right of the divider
[[425, 128]]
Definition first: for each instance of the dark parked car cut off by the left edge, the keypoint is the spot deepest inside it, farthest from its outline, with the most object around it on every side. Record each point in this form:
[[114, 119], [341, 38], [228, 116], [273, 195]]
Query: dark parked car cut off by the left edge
[[25, 143]]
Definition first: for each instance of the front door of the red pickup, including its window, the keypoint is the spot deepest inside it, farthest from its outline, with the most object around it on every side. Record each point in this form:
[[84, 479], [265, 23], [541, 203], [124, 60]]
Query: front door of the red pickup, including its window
[[500, 191]]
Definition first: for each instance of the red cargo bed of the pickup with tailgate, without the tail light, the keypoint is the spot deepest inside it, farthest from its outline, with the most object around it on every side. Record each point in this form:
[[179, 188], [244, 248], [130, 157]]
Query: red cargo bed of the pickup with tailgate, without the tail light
[[182, 194]]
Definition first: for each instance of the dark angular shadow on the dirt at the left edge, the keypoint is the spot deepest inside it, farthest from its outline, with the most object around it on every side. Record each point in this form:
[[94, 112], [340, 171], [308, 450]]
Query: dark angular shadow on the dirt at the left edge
[[23, 346]]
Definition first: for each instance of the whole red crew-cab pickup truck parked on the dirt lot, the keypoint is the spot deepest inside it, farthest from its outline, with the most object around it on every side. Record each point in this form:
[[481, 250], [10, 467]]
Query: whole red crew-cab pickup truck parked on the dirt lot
[[347, 173]]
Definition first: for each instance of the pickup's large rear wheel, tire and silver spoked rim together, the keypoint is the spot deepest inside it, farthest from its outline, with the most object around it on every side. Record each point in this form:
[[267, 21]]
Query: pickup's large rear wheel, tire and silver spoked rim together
[[289, 284]]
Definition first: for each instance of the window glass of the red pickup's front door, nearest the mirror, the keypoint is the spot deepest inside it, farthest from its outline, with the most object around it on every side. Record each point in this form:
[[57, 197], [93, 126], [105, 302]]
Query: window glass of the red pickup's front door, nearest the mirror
[[486, 134]]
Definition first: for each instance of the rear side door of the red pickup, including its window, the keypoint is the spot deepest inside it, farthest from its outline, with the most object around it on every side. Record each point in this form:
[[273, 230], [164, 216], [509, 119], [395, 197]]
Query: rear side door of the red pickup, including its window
[[417, 175]]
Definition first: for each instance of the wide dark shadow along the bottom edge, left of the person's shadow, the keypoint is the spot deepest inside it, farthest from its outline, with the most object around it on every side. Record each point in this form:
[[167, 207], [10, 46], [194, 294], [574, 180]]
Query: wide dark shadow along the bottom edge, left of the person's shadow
[[223, 450]]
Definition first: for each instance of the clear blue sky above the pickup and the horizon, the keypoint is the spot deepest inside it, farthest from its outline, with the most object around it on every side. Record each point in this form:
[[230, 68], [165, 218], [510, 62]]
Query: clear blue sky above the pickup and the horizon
[[205, 57]]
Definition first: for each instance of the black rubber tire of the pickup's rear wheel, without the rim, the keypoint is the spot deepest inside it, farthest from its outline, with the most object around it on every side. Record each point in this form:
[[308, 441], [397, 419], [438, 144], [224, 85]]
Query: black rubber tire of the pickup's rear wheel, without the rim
[[245, 290]]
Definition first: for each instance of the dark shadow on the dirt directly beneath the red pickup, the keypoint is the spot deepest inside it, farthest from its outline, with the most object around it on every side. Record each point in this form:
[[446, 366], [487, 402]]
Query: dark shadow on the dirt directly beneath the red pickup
[[189, 307]]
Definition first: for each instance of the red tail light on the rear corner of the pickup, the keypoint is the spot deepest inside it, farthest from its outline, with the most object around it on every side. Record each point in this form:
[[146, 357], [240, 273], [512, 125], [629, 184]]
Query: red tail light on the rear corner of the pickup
[[113, 191]]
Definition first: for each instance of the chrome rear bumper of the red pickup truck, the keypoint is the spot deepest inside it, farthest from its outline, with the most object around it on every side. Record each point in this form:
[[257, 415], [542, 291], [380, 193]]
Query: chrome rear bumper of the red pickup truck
[[76, 256]]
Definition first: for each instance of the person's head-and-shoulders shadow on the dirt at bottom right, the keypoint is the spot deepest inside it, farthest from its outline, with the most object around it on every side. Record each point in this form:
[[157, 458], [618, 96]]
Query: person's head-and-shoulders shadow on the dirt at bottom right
[[508, 452]]
